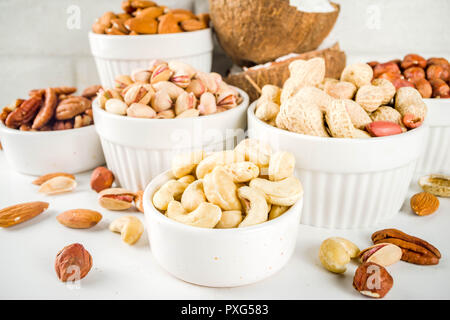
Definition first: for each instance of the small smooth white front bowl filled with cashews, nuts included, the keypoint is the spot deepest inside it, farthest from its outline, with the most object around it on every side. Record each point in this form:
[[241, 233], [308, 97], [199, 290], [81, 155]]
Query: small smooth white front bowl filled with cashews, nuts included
[[227, 218]]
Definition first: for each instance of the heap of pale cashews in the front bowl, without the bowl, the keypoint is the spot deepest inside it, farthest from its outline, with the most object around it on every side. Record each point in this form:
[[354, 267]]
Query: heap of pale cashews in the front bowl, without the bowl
[[229, 189]]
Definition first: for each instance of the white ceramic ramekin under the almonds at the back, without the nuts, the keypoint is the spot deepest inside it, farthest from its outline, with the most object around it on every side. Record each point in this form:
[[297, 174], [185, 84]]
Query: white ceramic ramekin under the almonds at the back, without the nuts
[[115, 55]]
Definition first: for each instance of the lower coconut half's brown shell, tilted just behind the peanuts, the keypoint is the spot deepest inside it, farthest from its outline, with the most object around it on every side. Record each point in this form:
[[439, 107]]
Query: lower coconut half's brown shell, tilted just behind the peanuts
[[278, 72]]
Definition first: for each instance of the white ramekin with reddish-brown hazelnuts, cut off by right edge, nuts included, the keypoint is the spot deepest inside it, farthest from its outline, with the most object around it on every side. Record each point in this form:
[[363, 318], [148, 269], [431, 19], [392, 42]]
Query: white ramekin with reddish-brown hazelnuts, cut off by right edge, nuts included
[[431, 77]]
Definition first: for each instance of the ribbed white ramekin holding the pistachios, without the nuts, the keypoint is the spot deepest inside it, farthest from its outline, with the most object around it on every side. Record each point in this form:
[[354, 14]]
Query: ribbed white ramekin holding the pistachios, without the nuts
[[137, 150]]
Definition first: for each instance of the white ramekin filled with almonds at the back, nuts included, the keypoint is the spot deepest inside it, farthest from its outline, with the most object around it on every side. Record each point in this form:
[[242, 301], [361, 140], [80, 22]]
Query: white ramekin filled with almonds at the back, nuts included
[[144, 31]]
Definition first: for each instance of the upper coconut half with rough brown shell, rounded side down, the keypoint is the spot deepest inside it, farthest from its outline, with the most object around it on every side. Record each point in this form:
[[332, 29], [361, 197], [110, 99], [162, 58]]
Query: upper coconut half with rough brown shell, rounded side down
[[259, 31]]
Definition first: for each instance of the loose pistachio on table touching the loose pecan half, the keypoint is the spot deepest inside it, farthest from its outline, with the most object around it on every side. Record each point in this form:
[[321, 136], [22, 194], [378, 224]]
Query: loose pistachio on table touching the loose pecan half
[[383, 254]]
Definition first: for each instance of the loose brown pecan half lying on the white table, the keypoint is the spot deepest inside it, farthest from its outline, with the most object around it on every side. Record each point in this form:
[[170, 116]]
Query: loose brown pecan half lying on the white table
[[414, 250]]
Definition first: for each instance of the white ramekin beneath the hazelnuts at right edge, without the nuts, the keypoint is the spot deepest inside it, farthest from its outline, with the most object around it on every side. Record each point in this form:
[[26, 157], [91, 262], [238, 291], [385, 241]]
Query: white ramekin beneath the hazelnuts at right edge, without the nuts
[[436, 153]]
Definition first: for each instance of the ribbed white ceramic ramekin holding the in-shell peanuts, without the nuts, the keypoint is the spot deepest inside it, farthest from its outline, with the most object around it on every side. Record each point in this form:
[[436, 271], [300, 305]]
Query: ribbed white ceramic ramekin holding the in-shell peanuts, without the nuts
[[348, 183]]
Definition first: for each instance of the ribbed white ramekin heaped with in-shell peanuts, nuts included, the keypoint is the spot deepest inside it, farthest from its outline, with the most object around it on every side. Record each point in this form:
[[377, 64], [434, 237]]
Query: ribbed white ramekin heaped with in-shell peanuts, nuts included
[[356, 140]]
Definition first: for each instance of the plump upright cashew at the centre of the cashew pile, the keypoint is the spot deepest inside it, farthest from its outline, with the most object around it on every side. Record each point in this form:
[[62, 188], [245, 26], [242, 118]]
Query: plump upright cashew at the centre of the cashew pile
[[220, 189]]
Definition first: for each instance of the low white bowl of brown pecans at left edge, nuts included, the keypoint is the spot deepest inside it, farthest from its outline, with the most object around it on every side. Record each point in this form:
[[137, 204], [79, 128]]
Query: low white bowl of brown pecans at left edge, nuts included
[[51, 131]]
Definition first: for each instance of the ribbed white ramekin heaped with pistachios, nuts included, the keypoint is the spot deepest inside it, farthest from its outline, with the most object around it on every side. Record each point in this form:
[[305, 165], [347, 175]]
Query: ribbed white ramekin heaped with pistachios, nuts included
[[165, 109]]
